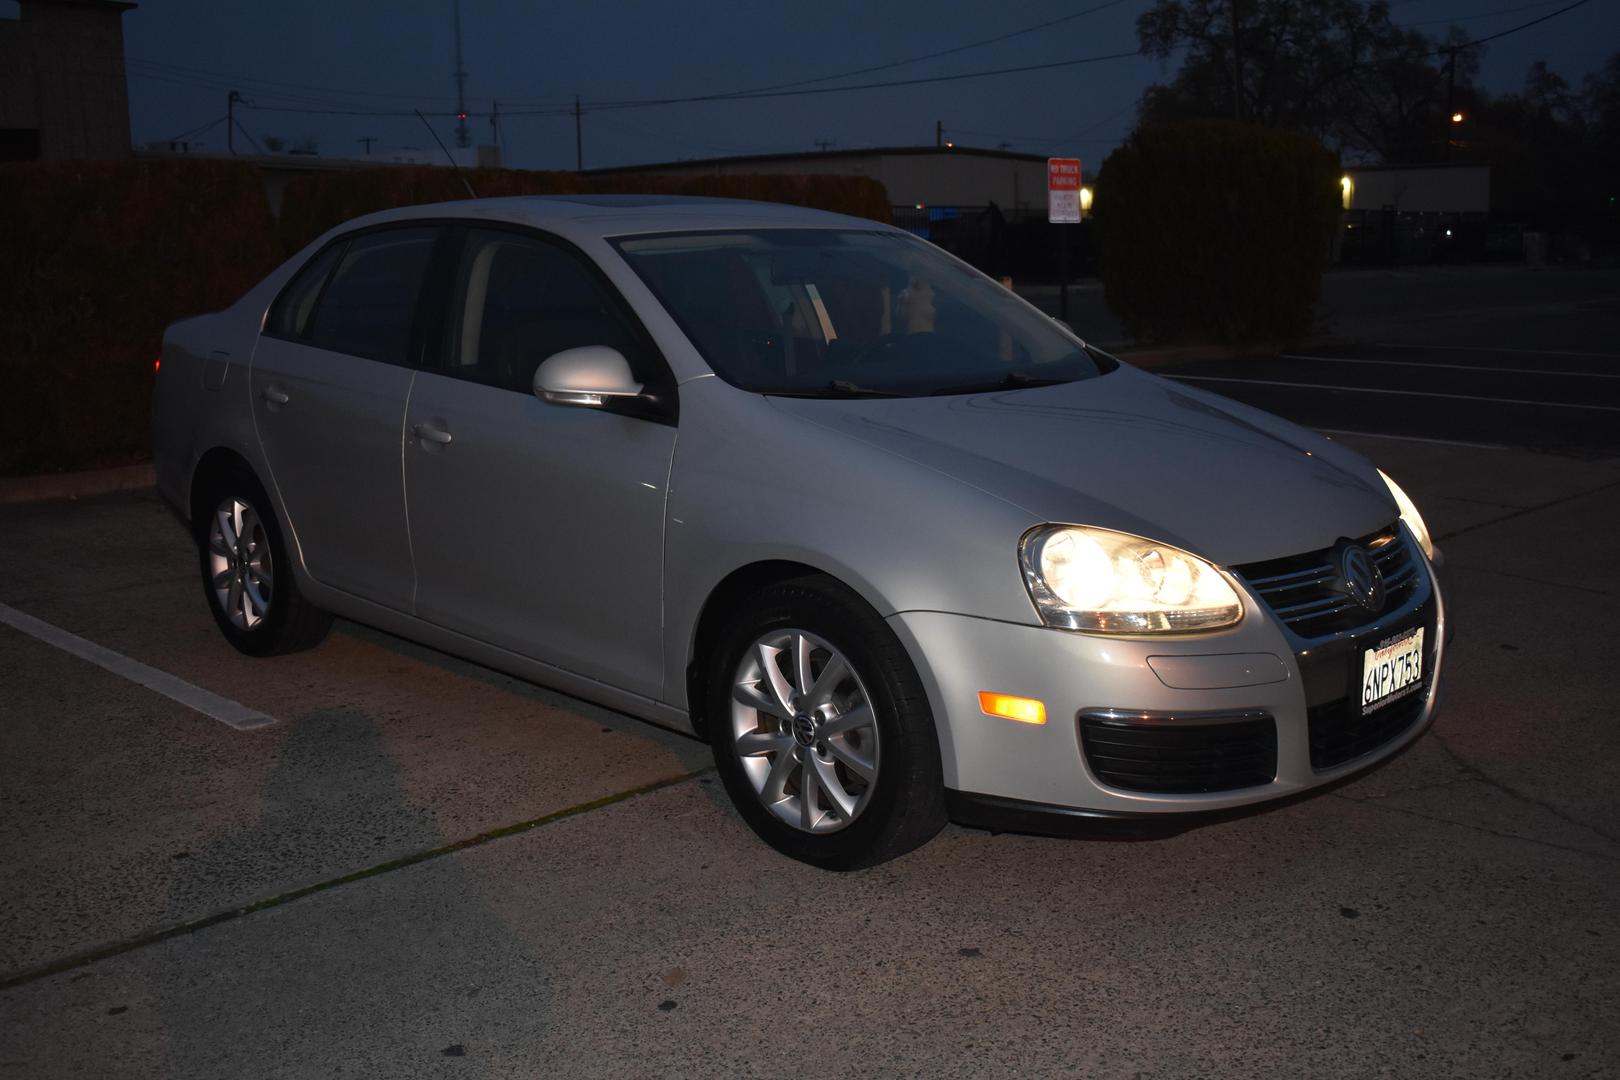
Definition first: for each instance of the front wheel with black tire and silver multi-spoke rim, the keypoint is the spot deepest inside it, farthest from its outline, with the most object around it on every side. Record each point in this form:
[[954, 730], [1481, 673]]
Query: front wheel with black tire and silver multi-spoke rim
[[822, 731]]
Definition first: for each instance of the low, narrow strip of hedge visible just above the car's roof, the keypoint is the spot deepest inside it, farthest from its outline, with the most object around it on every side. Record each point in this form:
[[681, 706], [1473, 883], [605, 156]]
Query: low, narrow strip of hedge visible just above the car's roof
[[322, 202]]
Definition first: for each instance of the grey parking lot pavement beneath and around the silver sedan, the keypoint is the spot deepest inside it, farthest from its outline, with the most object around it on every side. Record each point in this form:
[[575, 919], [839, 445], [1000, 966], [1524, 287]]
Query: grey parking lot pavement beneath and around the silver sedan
[[425, 869]]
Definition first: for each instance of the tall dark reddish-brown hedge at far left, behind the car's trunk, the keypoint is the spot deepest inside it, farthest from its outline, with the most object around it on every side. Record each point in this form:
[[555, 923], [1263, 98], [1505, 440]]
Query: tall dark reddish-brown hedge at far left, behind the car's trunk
[[96, 258]]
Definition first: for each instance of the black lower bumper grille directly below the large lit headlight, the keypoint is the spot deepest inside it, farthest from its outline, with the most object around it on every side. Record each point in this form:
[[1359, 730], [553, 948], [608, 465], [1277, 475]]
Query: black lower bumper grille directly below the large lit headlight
[[1180, 759]]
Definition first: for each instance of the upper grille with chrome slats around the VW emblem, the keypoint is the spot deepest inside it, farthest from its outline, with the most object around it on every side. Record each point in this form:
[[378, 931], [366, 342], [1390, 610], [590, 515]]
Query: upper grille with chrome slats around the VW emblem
[[1307, 593]]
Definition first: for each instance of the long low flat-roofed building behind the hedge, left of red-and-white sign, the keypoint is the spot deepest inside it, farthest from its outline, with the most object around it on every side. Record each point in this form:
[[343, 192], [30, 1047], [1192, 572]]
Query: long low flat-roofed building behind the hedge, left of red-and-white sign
[[914, 176]]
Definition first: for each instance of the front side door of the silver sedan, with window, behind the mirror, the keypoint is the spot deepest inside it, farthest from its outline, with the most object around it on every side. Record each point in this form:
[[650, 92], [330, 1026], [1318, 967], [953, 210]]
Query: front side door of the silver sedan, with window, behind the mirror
[[539, 527]]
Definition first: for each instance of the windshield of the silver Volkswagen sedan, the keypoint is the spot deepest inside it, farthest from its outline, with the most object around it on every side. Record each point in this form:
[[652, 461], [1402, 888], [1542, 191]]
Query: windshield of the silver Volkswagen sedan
[[851, 313]]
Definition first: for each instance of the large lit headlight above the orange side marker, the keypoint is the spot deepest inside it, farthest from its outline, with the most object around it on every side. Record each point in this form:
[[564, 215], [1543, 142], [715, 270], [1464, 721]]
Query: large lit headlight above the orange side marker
[[1085, 579]]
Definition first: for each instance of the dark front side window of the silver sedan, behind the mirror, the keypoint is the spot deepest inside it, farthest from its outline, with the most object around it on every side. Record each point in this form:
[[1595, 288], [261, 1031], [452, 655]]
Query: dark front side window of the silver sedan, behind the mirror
[[519, 300]]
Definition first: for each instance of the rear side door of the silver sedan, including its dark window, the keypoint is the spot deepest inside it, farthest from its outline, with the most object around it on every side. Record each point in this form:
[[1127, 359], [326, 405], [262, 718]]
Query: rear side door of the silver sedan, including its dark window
[[331, 378]]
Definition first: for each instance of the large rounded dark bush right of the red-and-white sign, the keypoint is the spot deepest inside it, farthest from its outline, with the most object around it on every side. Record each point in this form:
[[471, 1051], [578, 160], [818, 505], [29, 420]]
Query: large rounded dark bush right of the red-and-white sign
[[1216, 231]]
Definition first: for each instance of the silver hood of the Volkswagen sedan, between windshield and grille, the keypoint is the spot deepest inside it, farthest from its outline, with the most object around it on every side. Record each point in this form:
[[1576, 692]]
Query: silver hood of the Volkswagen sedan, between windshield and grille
[[1132, 453]]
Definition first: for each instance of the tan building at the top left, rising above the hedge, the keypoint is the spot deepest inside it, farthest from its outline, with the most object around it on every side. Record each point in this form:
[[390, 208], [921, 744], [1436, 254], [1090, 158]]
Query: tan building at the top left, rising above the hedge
[[62, 82]]
